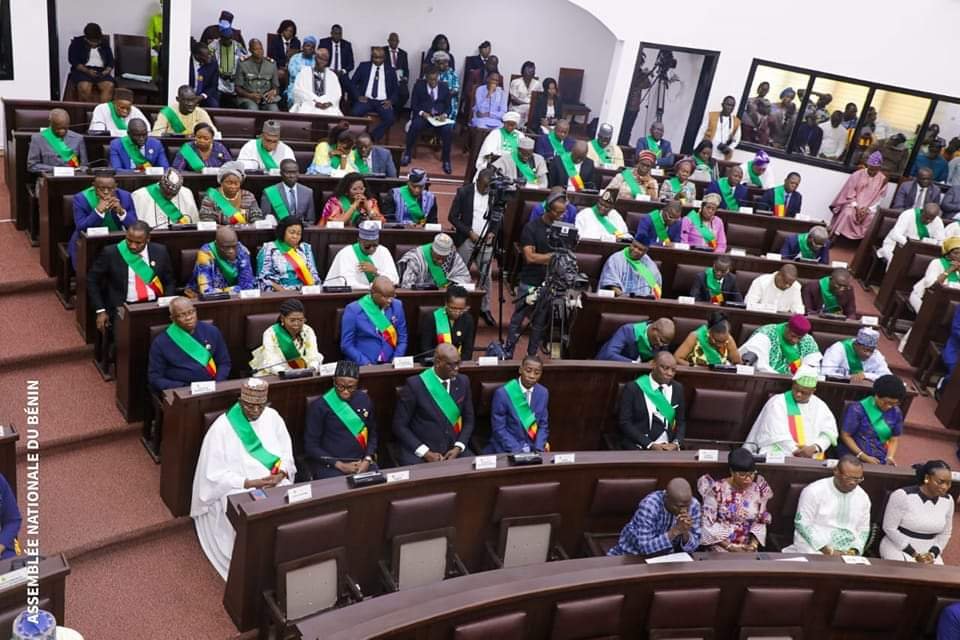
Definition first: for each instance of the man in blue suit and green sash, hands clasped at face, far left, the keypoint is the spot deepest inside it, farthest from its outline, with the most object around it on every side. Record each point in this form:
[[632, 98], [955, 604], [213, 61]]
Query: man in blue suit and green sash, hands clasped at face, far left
[[102, 205]]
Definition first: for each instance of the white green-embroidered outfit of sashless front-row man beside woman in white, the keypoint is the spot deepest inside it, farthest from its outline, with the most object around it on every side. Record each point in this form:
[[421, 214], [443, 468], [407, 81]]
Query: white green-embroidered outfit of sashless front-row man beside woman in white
[[827, 516]]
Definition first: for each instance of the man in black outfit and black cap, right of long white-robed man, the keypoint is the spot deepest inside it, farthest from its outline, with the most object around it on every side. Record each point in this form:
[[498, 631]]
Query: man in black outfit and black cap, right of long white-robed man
[[340, 438]]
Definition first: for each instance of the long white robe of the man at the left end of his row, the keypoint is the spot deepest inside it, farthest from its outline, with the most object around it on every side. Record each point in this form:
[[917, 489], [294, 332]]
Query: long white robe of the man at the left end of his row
[[224, 465]]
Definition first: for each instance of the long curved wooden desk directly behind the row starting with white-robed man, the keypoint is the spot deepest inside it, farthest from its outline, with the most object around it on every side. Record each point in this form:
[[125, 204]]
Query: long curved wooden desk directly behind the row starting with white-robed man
[[576, 425]]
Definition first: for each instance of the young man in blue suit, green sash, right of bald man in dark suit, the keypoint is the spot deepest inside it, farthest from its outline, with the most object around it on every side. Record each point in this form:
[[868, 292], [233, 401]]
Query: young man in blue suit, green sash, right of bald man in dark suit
[[519, 419]]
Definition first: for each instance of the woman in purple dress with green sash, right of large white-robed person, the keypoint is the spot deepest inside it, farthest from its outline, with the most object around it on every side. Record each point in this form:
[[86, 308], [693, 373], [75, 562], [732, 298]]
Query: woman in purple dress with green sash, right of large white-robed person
[[872, 427]]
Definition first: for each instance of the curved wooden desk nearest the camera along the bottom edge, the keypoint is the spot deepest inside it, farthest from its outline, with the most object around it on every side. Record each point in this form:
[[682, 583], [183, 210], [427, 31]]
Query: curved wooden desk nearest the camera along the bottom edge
[[740, 580]]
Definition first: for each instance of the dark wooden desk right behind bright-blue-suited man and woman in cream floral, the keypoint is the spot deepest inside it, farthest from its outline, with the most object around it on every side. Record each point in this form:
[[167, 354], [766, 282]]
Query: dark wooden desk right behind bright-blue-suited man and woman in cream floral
[[230, 317]]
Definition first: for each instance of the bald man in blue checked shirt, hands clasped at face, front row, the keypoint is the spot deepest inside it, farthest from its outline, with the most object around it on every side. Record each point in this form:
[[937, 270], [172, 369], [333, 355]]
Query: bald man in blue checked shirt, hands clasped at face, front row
[[666, 521]]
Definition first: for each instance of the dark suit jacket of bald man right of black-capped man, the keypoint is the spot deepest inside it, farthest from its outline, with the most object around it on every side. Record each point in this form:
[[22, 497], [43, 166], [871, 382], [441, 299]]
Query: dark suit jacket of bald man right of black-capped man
[[419, 421]]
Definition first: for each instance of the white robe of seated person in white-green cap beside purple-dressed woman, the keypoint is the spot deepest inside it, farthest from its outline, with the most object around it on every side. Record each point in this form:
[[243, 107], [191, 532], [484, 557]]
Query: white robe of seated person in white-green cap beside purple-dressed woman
[[771, 431]]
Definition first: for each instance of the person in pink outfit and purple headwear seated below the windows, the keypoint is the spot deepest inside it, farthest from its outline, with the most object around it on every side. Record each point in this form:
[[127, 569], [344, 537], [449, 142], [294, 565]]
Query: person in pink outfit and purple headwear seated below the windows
[[856, 204]]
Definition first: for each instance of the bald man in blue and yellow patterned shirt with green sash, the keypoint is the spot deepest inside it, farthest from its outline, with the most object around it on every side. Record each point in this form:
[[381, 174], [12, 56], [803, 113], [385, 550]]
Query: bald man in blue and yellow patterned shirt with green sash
[[223, 266]]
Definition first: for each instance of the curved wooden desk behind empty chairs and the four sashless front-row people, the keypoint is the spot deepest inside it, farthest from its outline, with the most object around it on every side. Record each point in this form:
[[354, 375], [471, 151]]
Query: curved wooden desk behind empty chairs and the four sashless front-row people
[[252, 570]]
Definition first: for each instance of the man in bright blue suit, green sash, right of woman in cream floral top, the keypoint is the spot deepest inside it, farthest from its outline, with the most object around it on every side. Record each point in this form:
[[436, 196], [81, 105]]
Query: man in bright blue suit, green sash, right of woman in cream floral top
[[373, 329]]
